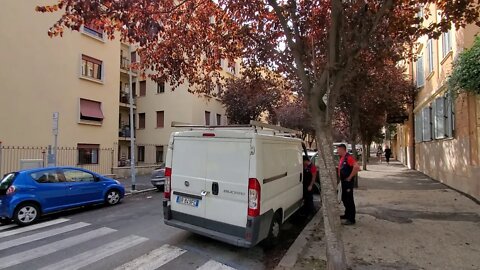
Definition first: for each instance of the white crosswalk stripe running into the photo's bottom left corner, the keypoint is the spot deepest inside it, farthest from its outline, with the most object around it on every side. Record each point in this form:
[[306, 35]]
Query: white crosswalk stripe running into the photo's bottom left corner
[[47, 249]]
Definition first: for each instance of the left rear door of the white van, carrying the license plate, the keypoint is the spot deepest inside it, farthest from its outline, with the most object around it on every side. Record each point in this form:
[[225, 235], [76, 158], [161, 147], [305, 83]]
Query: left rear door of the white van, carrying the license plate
[[189, 169]]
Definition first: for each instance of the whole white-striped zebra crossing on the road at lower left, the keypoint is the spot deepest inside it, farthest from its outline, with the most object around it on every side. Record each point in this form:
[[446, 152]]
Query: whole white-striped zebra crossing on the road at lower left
[[24, 247]]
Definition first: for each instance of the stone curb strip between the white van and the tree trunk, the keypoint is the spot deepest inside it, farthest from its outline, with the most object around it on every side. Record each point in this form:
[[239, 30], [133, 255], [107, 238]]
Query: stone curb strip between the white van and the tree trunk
[[298, 247]]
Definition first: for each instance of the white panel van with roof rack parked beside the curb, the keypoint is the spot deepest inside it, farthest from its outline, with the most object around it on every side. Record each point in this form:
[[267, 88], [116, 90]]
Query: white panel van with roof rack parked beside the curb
[[234, 184]]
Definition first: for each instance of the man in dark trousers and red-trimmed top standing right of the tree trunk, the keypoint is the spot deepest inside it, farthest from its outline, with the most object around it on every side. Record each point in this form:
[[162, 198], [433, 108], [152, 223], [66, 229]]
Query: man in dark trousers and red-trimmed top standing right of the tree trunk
[[347, 170]]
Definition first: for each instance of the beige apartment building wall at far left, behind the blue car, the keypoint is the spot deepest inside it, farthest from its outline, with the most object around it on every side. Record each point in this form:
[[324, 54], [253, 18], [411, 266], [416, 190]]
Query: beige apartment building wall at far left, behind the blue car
[[76, 76]]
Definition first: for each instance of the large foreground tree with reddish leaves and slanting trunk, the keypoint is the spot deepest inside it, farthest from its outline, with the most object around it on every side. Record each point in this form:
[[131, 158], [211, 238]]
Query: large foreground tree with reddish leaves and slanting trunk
[[315, 43]]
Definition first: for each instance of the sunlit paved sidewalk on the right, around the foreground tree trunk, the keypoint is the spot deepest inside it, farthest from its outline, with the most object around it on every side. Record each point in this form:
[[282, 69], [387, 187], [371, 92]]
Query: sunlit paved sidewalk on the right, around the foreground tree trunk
[[405, 220]]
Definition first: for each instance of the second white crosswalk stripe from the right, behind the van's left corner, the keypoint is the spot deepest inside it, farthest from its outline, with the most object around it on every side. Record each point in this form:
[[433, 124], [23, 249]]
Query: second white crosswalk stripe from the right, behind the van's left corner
[[154, 259]]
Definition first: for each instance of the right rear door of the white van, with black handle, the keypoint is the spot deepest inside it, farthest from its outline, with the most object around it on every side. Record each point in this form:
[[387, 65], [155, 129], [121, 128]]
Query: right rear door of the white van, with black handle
[[228, 165]]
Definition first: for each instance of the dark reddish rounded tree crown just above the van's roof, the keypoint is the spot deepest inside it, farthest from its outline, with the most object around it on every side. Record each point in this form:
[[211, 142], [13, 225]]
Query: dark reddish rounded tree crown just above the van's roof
[[252, 96]]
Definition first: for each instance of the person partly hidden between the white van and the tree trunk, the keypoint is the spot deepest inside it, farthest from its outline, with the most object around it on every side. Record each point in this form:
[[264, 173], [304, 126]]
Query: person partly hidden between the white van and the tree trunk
[[309, 176]]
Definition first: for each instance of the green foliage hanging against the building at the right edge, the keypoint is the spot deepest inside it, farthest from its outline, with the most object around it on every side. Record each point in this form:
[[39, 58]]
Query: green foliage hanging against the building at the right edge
[[466, 70]]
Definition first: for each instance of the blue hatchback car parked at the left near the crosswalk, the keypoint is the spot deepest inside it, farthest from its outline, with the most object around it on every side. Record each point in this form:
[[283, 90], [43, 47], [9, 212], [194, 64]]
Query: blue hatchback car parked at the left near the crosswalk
[[26, 195]]
